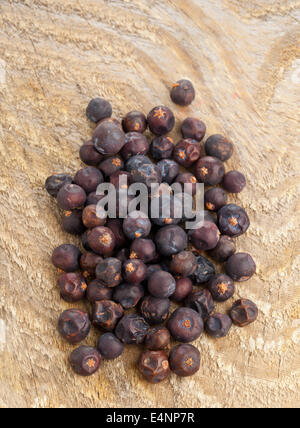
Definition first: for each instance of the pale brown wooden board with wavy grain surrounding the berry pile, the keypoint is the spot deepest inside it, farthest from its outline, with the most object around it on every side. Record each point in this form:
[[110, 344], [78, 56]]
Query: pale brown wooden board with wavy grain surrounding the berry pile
[[243, 57]]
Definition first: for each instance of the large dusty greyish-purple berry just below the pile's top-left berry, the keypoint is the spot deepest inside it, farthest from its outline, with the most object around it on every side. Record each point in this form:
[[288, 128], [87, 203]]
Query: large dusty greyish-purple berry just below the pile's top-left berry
[[108, 138]]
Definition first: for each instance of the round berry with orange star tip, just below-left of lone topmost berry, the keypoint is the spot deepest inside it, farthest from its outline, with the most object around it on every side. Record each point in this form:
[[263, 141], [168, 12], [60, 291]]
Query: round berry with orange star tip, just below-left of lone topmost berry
[[161, 120]]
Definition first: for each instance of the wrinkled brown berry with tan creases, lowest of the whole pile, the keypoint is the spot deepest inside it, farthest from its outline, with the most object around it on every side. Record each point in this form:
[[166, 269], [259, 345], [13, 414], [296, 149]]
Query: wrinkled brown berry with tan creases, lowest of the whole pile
[[154, 366]]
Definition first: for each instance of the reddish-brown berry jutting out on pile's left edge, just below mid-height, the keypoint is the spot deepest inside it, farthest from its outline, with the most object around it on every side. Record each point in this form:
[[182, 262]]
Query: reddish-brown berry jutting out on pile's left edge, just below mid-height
[[66, 257]]
